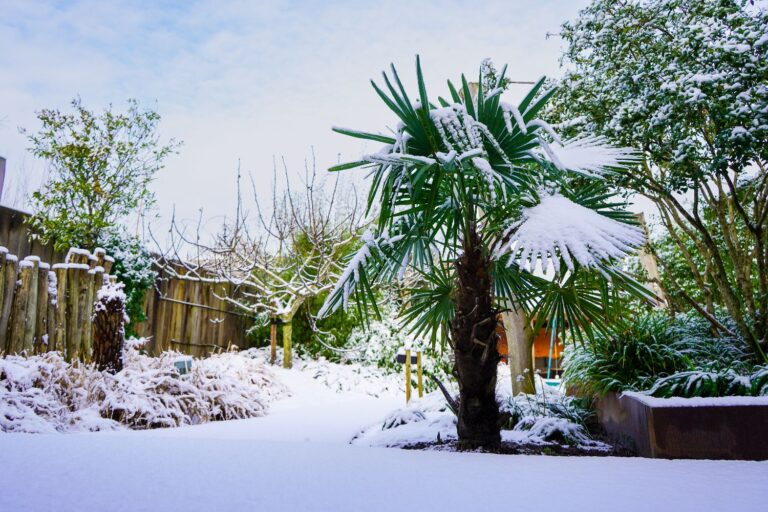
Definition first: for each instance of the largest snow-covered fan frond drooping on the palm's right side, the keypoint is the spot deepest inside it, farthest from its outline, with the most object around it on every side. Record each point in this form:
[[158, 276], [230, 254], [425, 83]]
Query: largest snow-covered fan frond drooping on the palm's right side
[[559, 226]]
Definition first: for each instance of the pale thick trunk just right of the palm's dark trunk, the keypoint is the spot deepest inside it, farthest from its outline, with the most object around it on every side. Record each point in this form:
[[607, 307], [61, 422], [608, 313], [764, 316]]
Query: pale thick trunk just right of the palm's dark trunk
[[520, 350]]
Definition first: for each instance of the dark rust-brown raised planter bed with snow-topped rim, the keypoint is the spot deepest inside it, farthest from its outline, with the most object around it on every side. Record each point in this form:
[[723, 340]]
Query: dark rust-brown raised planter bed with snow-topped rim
[[687, 428]]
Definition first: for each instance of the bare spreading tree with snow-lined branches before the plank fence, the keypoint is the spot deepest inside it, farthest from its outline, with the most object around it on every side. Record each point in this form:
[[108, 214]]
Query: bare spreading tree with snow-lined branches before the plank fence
[[290, 252]]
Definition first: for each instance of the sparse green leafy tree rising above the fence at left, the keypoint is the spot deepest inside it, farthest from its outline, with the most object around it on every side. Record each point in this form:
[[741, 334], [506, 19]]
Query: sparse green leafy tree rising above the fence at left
[[100, 167]]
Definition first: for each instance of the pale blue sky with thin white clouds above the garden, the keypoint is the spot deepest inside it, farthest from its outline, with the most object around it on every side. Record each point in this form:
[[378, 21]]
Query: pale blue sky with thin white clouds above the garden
[[249, 80]]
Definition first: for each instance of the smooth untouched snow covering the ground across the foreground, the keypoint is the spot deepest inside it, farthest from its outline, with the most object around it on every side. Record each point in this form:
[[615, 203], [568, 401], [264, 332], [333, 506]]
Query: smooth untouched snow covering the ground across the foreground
[[298, 458]]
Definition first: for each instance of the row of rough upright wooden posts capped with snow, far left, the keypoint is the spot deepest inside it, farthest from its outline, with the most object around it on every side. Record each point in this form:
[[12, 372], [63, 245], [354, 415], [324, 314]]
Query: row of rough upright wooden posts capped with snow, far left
[[44, 308]]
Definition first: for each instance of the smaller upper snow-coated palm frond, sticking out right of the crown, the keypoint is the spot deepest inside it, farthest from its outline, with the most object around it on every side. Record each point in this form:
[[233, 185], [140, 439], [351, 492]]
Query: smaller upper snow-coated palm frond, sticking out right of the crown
[[590, 155]]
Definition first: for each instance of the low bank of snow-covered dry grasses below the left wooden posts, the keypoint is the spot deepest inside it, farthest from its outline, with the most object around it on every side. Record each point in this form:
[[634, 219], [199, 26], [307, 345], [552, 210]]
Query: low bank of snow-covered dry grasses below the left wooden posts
[[44, 393]]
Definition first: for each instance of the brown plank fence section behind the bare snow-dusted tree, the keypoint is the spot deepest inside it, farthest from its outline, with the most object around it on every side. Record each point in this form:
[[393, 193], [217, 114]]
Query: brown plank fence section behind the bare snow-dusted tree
[[190, 315]]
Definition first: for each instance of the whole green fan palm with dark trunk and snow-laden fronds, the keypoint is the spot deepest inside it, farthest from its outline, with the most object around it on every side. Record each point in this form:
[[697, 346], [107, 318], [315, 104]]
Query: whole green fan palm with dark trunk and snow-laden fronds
[[482, 205]]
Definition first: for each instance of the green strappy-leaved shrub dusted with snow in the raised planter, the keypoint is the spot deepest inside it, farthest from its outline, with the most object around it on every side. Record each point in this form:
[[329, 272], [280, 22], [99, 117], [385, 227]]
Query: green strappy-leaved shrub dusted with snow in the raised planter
[[680, 356]]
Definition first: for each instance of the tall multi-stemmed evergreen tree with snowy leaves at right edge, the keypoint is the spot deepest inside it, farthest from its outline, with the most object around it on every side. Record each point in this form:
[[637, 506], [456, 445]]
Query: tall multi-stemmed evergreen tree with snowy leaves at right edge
[[686, 82]]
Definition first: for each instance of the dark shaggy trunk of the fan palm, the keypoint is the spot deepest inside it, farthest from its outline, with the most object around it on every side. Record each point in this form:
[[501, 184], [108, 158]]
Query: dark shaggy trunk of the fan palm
[[473, 334]]
